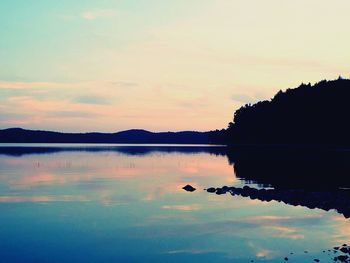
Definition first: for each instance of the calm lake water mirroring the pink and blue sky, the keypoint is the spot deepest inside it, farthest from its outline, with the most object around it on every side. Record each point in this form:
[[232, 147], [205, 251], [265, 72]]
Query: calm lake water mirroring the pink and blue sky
[[85, 203]]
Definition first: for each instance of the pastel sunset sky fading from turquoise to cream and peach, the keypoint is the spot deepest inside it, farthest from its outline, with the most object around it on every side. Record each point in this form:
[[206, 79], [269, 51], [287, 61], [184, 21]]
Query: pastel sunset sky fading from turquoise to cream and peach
[[161, 65]]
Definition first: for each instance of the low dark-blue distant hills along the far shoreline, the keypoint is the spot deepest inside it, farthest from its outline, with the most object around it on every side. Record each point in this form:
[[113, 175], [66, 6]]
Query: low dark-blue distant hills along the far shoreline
[[18, 135]]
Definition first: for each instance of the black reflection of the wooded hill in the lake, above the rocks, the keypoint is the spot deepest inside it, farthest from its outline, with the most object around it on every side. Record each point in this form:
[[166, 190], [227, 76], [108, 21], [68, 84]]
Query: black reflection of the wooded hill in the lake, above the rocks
[[293, 168]]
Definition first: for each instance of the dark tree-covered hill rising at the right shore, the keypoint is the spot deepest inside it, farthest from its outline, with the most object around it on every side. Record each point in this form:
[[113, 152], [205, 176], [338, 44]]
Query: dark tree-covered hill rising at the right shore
[[307, 115]]
